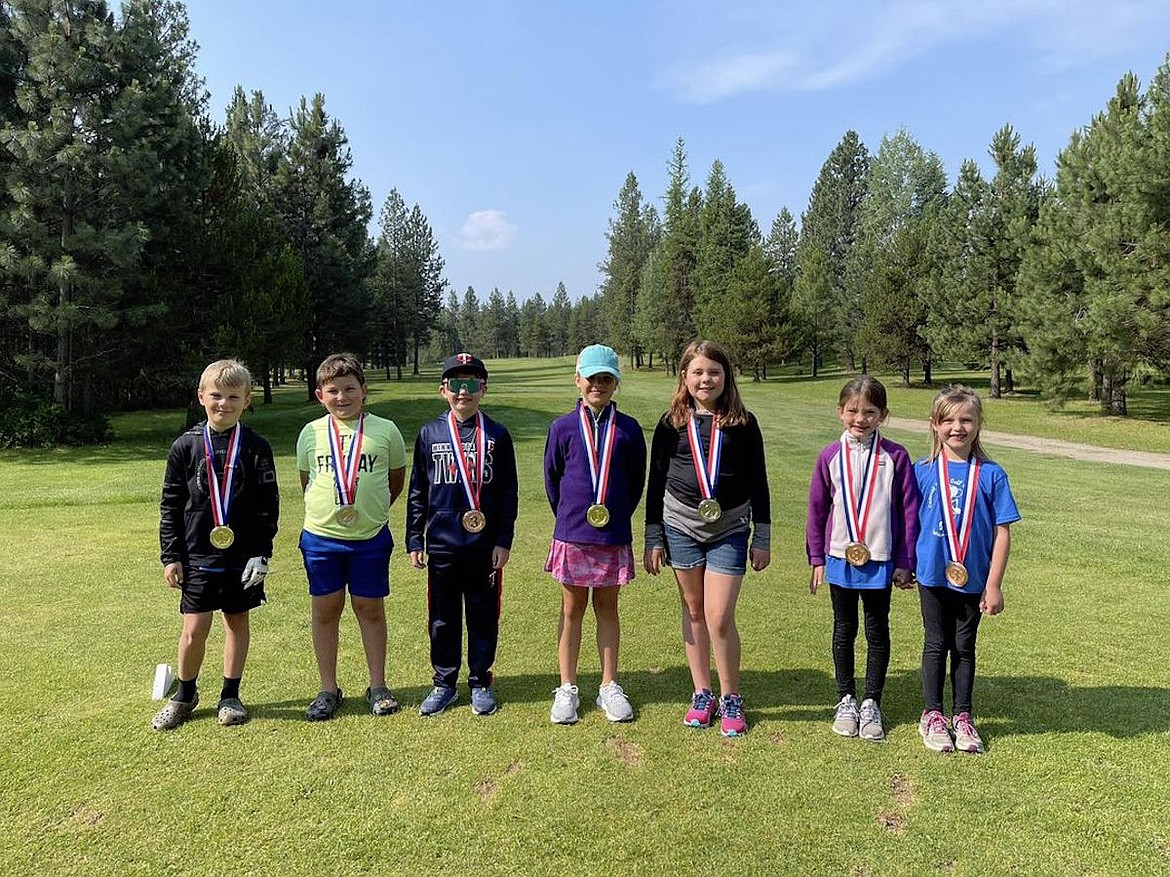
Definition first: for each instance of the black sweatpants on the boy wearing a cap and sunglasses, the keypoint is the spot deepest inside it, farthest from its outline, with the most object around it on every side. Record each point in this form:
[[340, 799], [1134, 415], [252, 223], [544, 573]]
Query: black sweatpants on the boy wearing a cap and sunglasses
[[456, 583]]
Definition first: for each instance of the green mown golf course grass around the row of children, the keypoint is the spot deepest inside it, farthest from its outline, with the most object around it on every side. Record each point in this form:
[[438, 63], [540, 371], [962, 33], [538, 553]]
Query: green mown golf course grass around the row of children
[[1073, 689]]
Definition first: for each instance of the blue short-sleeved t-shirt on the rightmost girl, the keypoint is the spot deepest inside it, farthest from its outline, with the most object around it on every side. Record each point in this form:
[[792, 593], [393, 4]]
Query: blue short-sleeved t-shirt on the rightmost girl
[[994, 506]]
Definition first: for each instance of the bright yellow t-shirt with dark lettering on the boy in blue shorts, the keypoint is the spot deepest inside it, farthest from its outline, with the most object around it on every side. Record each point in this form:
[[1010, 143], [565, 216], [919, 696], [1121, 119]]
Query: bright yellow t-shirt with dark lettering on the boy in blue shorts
[[382, 451]]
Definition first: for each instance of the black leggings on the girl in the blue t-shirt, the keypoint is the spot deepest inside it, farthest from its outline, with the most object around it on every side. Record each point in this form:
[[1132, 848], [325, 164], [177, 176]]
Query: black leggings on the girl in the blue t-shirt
[[952, 623]]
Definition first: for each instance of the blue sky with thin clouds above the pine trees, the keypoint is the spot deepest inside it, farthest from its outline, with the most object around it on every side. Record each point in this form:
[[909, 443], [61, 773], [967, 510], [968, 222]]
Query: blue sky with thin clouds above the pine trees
[[513, 125]]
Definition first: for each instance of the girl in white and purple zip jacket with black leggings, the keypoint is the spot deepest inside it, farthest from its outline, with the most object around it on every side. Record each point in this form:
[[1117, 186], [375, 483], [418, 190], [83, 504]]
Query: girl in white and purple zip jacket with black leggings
[[861, 537]]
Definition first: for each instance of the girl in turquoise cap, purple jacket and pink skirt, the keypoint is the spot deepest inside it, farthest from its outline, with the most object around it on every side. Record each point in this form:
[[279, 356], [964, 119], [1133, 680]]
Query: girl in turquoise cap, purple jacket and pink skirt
[[595, 467]]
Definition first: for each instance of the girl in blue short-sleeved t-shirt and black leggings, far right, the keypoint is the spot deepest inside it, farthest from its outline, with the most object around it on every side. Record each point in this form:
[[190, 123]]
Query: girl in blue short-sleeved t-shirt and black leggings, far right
[[965, 514]]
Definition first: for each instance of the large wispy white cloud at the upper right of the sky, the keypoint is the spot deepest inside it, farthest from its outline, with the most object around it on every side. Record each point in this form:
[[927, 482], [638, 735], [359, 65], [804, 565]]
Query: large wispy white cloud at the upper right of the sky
[[846, 44]]
